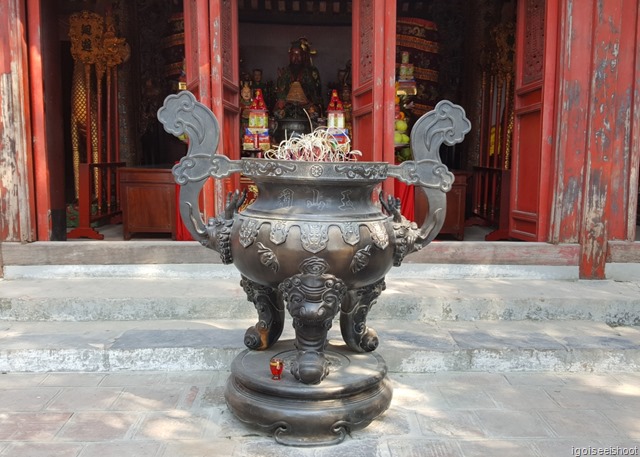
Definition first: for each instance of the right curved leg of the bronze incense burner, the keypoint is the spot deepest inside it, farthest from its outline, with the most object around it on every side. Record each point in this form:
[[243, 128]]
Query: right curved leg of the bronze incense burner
[[353, 316]]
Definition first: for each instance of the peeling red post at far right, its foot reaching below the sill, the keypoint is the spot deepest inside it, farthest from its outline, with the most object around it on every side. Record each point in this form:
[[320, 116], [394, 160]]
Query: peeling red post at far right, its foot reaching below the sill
[[608, 147]]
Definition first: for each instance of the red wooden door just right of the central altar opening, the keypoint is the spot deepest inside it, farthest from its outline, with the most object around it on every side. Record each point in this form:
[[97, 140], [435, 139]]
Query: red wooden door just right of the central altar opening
[[373, 78]]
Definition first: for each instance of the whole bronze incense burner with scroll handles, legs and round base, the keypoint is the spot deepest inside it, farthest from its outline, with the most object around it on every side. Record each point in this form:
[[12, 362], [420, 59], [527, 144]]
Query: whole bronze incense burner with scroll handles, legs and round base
[[316, 242]]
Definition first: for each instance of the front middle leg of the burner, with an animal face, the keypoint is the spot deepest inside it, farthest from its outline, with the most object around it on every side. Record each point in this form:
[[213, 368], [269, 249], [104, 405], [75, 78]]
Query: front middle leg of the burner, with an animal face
[[313, 299]]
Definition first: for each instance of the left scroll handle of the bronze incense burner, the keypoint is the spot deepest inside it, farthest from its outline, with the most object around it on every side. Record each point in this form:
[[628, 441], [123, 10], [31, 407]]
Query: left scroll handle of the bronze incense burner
[[182, 114]]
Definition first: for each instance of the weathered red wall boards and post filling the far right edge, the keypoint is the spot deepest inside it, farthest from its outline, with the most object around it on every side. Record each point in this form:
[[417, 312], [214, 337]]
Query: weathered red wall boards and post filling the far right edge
[[597, 145]]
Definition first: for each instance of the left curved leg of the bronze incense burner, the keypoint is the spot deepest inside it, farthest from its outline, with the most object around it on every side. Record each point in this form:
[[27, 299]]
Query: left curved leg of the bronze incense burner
[[270, 315]]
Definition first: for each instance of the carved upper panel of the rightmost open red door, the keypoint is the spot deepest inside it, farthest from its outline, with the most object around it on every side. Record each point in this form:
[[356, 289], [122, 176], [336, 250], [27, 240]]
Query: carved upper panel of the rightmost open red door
[[534, 39]]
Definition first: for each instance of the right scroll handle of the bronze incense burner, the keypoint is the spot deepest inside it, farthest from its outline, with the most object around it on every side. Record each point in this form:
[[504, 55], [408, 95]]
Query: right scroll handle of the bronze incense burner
[[447, 124]]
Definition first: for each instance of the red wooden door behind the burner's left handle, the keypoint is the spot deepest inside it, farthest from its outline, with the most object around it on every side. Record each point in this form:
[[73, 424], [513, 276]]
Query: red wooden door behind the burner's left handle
[[211, 49]]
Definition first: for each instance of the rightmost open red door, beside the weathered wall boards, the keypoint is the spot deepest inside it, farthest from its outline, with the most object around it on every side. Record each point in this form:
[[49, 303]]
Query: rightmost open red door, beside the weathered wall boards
[[532, 168]]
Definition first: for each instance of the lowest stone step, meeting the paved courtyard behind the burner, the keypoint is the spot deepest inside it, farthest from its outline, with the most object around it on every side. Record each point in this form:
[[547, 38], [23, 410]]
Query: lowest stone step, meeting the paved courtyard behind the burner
[[407, 347]]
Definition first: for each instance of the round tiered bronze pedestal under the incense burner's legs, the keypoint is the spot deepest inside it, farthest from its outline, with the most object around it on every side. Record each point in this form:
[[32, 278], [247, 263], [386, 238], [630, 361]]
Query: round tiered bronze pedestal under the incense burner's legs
[[355, 392]]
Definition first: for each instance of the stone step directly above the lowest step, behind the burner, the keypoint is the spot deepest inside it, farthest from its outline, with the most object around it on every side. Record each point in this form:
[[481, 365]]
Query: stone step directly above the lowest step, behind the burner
[[408, 297]]
